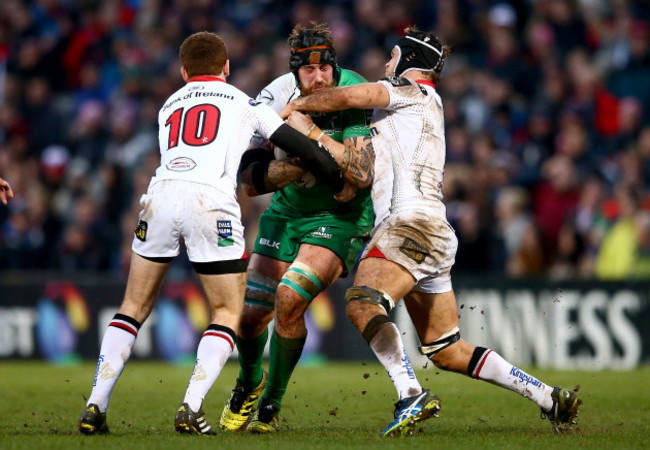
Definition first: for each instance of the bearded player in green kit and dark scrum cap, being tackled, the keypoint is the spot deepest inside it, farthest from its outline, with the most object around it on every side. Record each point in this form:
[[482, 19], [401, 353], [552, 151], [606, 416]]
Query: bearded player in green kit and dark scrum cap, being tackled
[[308, 236]]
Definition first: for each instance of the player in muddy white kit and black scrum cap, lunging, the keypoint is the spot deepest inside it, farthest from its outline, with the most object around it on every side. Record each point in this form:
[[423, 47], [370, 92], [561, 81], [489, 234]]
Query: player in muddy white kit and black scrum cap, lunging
[[413, 247]]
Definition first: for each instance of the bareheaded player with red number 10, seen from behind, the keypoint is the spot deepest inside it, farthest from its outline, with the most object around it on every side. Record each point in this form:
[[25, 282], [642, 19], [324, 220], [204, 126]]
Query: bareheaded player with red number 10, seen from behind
[[204, 128]]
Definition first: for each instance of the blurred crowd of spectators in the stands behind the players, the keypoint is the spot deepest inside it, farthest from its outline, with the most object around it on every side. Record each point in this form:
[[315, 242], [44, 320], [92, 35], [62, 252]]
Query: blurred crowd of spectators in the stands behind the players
[[547, 109]]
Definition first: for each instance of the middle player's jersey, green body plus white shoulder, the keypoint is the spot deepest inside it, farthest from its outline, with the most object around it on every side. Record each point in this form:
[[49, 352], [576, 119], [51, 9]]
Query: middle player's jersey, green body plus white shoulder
[[296, 200]]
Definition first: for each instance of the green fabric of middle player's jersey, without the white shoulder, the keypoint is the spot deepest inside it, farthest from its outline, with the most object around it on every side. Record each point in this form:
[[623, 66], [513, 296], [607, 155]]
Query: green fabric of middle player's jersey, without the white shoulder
[[319, 199]]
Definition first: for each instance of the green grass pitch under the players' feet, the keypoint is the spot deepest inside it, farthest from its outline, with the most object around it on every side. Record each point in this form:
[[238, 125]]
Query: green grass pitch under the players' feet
[[334, 406]]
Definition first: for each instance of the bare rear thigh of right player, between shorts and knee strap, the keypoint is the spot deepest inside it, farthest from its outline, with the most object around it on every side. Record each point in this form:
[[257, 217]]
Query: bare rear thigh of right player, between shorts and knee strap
[[432, 314]]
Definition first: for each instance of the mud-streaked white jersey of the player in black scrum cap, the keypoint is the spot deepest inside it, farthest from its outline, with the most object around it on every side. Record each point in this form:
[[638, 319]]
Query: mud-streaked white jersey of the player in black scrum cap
[[409, 142]]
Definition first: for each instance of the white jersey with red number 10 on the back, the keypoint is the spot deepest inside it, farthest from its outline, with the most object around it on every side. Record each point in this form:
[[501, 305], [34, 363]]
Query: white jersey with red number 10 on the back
[[205, 127]]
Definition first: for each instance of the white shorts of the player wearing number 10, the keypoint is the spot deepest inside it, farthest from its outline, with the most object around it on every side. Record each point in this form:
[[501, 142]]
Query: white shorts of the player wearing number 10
[[201, 216]]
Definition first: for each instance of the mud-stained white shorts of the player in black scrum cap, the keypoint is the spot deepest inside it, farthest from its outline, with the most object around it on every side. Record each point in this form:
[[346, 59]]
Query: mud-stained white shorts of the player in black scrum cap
[[424, 245]]
